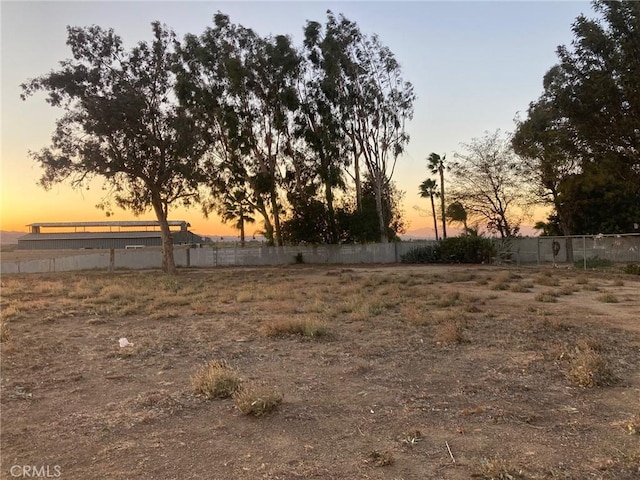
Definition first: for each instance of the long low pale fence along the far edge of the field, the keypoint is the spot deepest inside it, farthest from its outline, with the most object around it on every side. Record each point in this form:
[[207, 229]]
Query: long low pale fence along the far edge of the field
[[529, 250]]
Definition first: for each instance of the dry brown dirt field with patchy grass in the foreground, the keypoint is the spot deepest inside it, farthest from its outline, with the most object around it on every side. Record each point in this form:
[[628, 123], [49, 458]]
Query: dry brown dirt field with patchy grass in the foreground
[[427, 372]]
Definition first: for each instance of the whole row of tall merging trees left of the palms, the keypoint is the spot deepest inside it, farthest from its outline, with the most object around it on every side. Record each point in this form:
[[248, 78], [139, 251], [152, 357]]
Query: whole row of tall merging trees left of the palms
[[242, 124]]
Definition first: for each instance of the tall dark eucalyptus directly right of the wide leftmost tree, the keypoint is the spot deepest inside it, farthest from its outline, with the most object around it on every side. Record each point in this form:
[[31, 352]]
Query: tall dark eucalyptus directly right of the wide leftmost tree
[[242, 88]]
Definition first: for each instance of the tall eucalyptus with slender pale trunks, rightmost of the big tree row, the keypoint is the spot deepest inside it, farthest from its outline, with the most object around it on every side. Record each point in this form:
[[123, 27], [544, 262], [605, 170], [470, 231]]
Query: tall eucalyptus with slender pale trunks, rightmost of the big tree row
[[369, 99]]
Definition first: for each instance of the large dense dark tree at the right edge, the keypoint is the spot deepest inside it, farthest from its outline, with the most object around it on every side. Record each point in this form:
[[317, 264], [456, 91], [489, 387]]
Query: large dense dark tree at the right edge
[[582, 134]]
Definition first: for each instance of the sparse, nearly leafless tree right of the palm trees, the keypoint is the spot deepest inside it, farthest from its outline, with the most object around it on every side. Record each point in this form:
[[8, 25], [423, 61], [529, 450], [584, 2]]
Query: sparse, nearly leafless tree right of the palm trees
[[487, 180]]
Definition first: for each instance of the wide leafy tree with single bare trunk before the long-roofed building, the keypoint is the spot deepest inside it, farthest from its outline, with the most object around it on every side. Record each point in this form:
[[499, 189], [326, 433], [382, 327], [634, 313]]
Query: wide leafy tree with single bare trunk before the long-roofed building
[[121, 123]]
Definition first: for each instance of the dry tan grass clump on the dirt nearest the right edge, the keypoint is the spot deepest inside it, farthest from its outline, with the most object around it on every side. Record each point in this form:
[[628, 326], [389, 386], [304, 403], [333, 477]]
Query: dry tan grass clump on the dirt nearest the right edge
[[588, 367]]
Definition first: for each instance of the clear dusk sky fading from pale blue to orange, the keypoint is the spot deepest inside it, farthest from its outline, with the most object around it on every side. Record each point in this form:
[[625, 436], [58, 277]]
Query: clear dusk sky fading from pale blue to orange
[[474, 65]]
